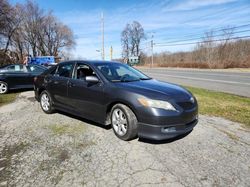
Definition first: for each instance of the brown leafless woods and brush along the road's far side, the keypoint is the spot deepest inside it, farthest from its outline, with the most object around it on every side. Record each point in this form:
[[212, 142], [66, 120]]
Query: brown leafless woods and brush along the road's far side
[[227, 52]]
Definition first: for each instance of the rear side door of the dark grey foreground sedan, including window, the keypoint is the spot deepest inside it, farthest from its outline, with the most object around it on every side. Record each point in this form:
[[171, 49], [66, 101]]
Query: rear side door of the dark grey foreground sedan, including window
[[58, 84]]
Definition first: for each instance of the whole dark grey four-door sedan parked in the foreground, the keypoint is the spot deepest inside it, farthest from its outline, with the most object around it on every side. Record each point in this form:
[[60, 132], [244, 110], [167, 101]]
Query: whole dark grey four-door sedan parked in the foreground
[[117, 94]]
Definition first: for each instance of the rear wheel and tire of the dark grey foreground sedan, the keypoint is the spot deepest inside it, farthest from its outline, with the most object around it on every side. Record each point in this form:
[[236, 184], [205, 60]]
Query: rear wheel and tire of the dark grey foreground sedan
[[46, 102]]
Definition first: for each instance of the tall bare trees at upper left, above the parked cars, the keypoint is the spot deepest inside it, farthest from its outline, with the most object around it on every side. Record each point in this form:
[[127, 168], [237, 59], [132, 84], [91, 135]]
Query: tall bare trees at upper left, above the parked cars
[[26, 29]]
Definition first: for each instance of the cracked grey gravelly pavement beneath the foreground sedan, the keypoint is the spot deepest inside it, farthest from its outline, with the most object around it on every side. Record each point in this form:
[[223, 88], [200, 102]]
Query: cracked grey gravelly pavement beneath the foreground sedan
[[37, 149]]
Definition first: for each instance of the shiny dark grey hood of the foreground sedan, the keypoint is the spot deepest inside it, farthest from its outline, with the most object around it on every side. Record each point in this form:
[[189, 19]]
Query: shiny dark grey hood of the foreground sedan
[[156, 89]]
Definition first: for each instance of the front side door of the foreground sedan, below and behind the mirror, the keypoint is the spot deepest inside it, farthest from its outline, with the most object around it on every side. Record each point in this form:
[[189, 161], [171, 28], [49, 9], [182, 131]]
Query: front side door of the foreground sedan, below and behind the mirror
[[86, 98]]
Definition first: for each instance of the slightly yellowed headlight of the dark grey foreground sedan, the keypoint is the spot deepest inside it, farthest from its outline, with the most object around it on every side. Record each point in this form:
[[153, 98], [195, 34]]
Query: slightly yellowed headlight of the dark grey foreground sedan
[[156, 104]]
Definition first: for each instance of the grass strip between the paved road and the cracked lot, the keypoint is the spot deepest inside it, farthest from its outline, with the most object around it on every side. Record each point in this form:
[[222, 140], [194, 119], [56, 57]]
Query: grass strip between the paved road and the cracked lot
[[232, 107]]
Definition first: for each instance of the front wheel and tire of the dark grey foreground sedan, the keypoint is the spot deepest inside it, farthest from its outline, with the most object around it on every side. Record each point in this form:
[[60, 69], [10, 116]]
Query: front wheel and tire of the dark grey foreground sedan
[[124, 122]]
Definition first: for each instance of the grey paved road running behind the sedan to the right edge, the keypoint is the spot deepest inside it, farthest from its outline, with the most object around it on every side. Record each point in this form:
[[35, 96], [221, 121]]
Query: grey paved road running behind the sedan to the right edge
[[230, 82]]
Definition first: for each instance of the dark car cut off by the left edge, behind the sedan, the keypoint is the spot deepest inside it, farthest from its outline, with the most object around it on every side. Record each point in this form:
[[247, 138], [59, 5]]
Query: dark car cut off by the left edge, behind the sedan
[[18, 76]]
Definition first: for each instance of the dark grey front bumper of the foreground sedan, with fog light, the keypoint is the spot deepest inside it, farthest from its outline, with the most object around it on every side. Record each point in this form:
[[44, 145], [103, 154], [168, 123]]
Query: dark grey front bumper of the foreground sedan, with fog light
[[157, 124]]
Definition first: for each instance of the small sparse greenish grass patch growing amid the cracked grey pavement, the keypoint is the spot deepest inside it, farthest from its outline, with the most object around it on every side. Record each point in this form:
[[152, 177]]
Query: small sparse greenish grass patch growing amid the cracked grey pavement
[[60, 129]]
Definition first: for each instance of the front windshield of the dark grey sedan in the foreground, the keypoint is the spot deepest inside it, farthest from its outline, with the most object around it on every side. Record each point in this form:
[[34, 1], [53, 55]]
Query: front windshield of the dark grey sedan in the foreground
[[116, 72]]
